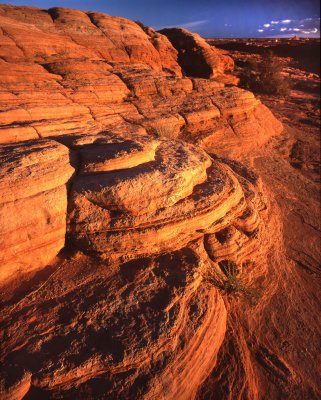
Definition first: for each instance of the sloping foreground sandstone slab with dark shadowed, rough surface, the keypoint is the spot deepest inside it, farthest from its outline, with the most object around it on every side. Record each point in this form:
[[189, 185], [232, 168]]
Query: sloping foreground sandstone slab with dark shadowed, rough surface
[[139, 330]]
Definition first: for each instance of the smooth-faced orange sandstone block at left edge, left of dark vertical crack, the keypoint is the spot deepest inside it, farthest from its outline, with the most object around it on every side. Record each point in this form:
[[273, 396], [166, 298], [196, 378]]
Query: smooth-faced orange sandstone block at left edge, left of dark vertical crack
[[33, 204]]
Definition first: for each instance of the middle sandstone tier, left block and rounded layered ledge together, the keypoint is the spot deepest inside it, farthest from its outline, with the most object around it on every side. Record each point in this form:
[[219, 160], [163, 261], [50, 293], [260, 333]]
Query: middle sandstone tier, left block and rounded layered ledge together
[[132, 195]]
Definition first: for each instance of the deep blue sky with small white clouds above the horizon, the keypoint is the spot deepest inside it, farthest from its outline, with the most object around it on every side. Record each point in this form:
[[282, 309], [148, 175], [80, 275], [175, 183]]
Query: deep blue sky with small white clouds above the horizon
[[210, 18]]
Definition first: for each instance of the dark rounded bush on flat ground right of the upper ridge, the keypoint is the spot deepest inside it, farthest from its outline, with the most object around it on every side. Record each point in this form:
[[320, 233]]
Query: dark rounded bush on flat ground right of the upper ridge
[[266, 76]]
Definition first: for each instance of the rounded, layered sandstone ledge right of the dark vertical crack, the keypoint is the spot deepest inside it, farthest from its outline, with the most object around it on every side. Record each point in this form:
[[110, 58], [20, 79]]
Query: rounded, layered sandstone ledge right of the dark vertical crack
[[167, 194]]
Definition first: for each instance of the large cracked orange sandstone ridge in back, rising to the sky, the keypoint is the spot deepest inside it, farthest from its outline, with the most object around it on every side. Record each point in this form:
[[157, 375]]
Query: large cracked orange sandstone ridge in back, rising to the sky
[[69, 72]]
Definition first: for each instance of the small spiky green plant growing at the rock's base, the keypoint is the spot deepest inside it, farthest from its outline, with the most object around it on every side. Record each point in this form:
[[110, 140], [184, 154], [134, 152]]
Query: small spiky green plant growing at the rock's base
[[227, 277]]
